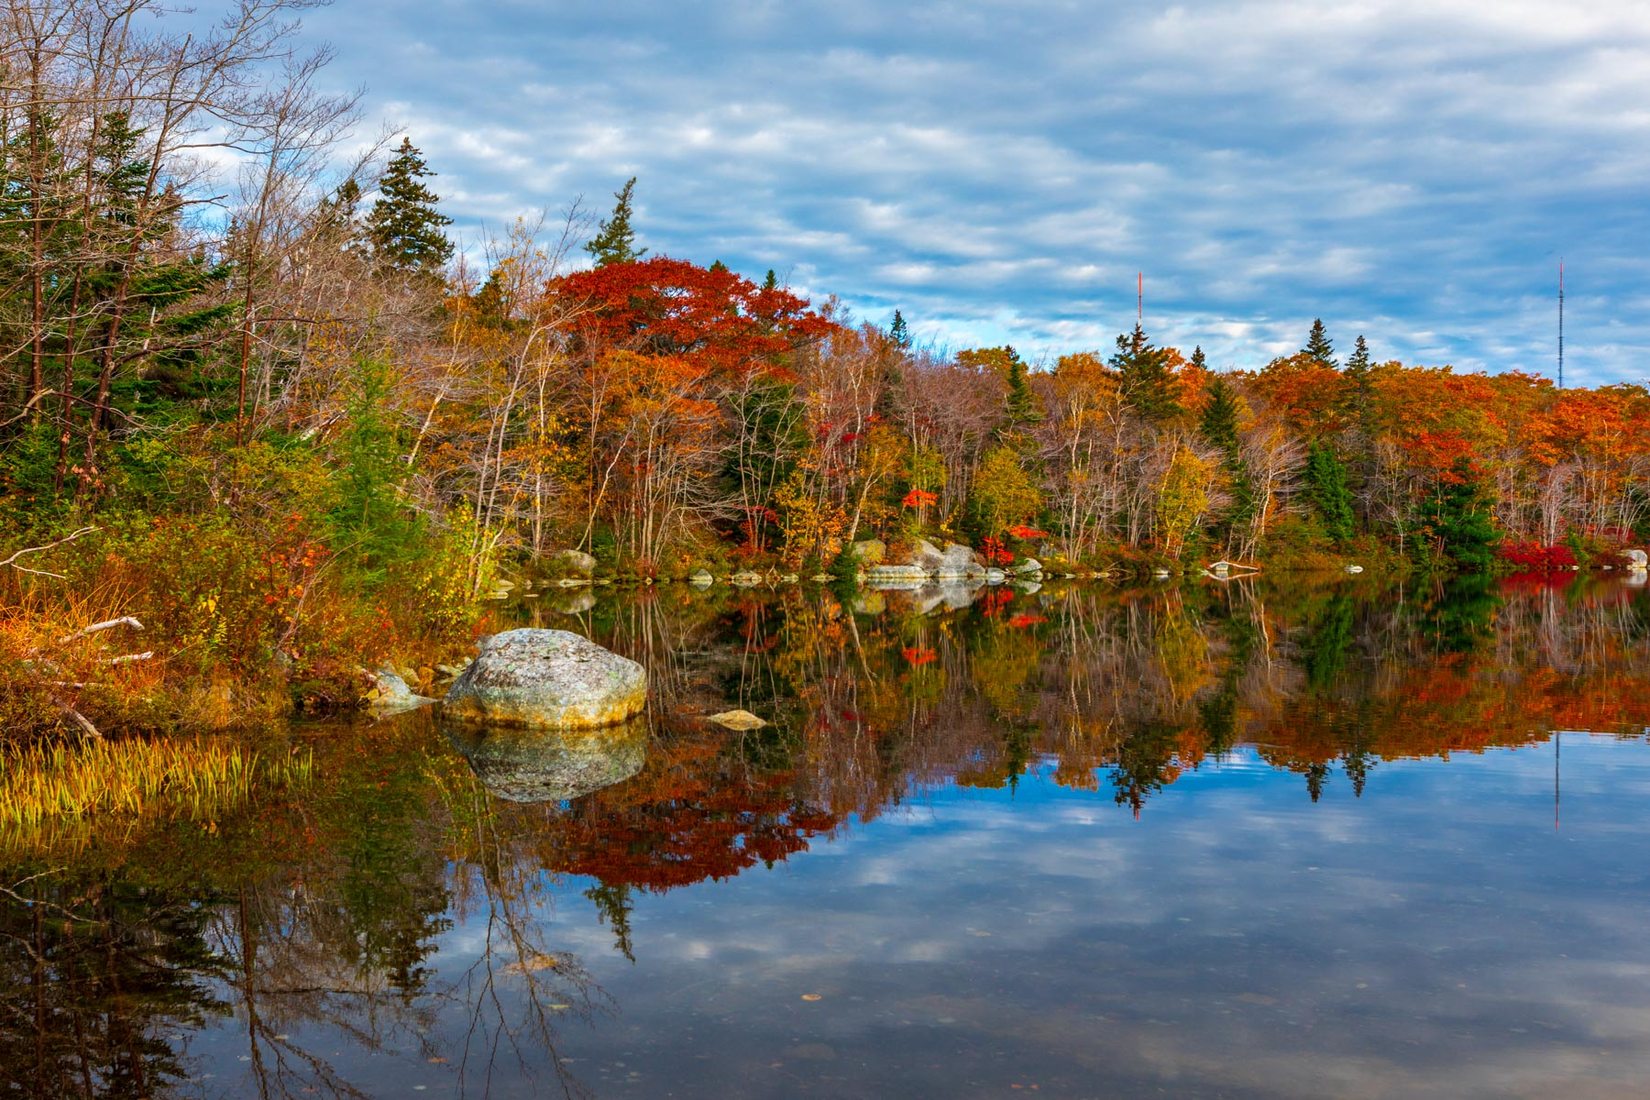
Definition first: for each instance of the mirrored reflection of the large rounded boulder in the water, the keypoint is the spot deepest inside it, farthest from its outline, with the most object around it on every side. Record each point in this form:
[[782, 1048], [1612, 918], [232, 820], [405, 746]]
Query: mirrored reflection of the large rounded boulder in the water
[[550, 766]]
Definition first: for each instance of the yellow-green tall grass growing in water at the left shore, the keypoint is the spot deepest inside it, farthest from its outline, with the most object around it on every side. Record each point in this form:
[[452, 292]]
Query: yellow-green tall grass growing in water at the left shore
[[174, 779]]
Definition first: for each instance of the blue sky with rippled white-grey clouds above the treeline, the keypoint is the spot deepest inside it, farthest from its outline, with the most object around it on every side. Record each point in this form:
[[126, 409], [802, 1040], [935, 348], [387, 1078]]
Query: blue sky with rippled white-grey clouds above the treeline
[[1001, 172]]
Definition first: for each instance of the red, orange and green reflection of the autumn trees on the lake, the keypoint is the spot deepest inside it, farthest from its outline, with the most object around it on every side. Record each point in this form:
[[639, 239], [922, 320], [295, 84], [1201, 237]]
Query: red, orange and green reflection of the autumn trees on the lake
[[314, 923]]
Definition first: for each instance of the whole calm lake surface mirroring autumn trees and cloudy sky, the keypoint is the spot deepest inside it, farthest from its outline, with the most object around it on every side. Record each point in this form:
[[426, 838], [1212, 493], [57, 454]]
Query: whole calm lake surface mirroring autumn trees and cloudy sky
[[1202, 842]]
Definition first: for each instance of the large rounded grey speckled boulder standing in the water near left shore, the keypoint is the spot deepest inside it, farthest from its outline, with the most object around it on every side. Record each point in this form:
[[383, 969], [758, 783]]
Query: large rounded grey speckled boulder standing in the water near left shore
[[547, 680]]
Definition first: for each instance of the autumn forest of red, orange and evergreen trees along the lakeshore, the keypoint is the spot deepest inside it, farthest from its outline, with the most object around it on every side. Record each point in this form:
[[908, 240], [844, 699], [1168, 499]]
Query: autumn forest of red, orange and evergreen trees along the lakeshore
[[265, 425]]
